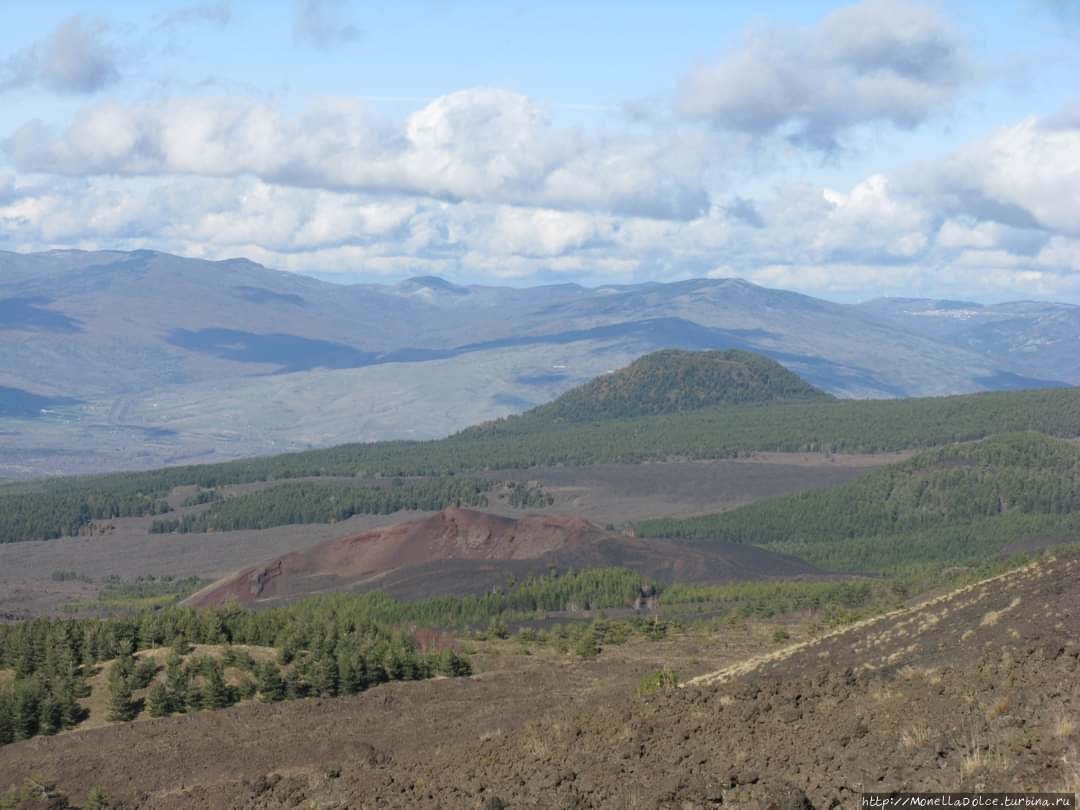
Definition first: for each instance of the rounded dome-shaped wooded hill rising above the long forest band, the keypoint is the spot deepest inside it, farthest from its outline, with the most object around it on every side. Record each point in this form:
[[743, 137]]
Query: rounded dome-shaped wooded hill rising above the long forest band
[[674, 382]]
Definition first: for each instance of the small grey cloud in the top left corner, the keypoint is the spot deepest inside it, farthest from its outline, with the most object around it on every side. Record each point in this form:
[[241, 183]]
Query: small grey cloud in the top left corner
[[74, 59]]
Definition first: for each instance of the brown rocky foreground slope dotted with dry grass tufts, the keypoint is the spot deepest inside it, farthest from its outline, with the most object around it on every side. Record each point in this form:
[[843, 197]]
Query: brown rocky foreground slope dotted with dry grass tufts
[[976, 691]]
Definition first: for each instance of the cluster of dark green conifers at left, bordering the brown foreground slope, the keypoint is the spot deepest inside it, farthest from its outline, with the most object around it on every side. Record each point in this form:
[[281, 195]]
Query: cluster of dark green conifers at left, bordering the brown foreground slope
[[322, 651]]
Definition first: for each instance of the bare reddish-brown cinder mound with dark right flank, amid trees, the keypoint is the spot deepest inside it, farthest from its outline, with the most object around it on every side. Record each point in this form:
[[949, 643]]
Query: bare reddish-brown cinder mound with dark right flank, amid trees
[[464, 551]]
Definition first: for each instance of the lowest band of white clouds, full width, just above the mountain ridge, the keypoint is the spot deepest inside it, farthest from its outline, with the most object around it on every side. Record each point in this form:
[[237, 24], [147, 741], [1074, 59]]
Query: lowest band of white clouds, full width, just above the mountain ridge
[[873, 237]]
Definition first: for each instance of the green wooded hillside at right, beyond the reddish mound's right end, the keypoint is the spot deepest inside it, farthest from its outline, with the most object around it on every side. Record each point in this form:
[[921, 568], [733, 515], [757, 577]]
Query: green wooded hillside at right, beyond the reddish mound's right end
[[953, 504]]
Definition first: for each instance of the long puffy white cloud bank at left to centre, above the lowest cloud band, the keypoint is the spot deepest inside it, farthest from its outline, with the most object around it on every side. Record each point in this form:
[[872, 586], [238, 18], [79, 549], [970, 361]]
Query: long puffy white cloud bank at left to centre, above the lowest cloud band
[[484, 144]]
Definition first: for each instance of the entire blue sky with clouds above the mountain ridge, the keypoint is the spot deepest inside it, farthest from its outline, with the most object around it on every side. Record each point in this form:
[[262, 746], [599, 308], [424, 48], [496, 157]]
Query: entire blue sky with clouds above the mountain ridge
[[845, 151]]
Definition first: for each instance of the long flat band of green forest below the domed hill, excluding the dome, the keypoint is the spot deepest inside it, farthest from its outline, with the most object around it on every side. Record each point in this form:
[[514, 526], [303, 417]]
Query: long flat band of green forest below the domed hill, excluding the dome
[[51, 508]]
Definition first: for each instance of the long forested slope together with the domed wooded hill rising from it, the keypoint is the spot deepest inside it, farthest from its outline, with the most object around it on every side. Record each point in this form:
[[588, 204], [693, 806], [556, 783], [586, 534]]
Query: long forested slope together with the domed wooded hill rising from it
[[798, 420]]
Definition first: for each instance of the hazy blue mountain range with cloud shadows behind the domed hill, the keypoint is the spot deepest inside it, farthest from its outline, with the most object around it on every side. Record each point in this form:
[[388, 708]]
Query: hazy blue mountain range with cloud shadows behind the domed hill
[[113, 360]]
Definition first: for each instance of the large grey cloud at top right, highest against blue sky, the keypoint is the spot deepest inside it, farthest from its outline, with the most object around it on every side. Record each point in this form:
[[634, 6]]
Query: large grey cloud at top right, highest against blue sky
[[881, 61]]
